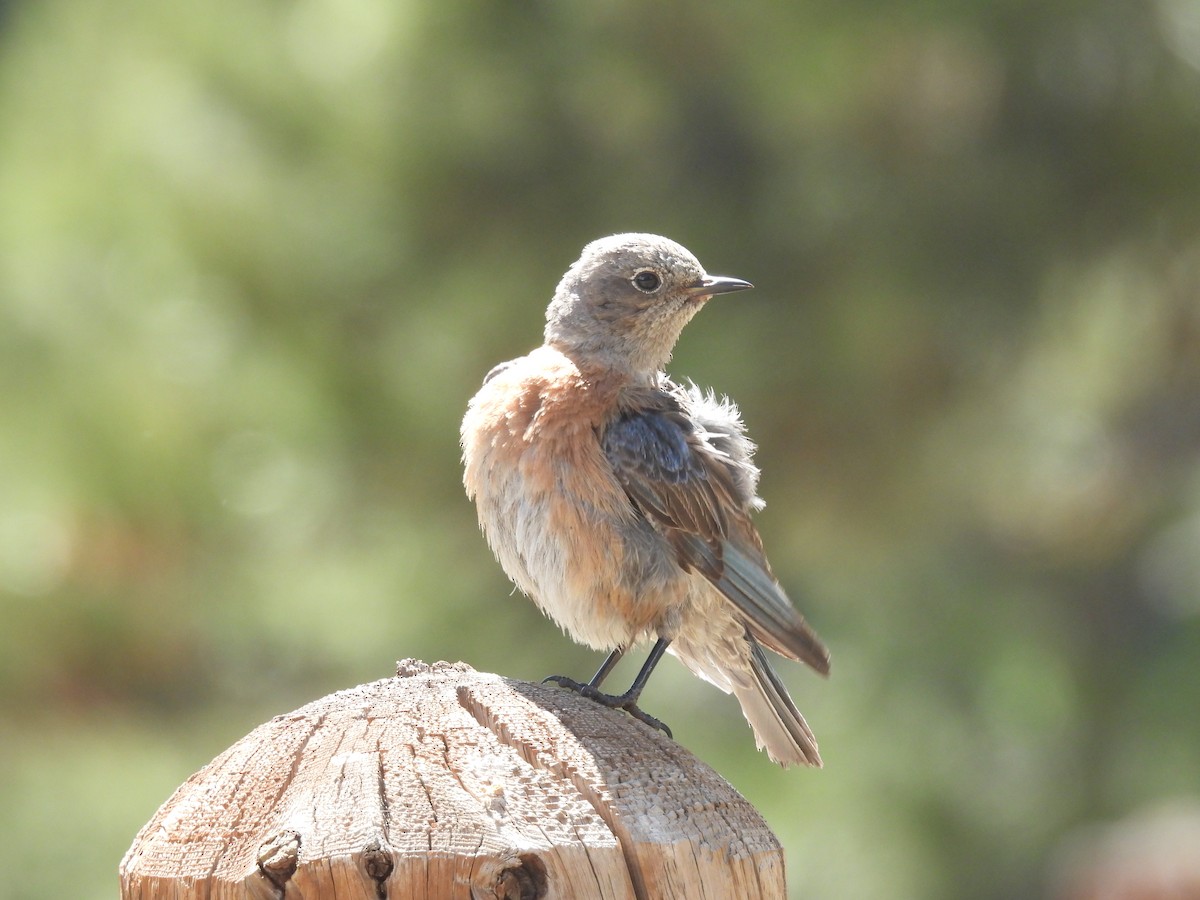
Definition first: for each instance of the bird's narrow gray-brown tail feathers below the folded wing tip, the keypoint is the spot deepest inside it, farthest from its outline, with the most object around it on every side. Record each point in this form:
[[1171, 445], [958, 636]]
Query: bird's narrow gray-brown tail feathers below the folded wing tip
[[777, 723]]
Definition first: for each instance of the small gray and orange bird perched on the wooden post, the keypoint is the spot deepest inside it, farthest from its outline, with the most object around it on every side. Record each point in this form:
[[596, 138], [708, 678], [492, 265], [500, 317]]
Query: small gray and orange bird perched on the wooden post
[[621, 501]]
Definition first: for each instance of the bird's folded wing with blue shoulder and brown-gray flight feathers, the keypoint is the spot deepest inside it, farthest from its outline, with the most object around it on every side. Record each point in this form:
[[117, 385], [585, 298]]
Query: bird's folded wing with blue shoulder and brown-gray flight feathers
[[687, 491]]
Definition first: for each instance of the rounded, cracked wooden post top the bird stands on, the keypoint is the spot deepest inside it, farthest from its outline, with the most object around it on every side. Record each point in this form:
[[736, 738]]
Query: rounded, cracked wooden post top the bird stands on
[[449, 783]]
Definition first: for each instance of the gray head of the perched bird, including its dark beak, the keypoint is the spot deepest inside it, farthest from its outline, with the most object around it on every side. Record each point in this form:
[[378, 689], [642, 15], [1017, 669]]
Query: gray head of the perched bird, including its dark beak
[[626, 301]]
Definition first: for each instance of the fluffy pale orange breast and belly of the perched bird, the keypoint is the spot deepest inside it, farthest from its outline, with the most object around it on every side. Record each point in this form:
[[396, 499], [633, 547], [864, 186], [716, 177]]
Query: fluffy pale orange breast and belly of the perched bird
[[548, 500]]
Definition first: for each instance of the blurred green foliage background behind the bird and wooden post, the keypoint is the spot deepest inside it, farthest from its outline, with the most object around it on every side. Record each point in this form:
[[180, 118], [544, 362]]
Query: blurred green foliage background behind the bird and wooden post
[[256, 256]]
